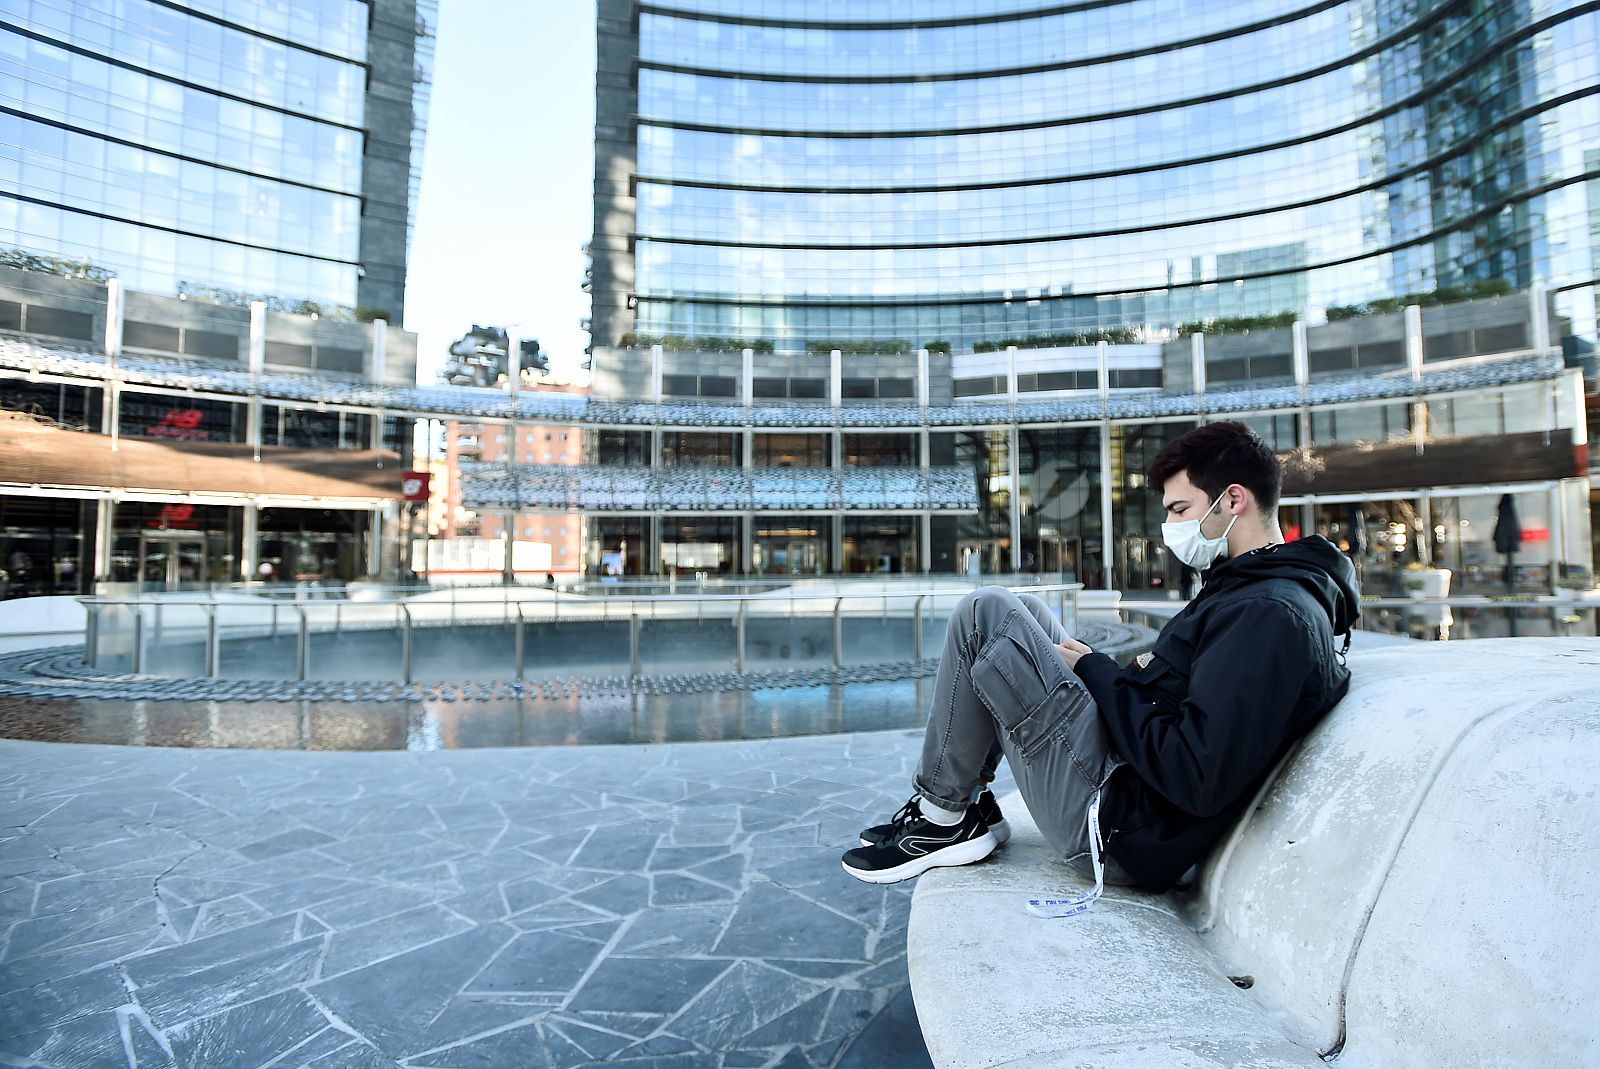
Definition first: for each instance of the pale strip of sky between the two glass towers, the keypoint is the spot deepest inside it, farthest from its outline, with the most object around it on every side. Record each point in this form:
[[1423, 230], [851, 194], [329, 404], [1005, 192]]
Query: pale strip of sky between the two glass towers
[[508, 177]]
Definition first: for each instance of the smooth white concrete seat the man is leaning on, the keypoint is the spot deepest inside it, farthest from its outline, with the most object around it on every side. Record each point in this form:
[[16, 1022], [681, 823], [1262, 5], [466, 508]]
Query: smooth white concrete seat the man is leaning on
[[1414, 889]]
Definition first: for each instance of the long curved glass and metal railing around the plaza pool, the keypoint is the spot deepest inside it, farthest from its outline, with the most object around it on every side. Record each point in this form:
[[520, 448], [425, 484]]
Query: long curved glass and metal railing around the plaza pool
[[841, 623]]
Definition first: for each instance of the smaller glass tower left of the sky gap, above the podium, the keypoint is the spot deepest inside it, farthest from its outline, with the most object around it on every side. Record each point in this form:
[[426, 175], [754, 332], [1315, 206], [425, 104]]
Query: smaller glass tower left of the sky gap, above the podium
[[228, 150]]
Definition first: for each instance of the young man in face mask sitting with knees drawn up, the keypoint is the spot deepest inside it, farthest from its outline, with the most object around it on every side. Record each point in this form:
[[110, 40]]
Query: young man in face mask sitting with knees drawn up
[[1159, 759]]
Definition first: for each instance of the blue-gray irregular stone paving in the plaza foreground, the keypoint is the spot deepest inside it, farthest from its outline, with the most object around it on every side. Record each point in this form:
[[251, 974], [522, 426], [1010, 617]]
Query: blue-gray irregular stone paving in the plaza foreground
[[676, 907]]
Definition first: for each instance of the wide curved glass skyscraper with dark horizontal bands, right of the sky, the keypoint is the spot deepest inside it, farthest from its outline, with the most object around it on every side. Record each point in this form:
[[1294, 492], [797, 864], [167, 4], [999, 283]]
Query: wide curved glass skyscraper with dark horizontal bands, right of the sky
[[887, 177]]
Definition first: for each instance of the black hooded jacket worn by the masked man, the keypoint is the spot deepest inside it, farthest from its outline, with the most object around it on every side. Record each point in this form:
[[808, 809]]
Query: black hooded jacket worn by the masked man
[[1242, 673]]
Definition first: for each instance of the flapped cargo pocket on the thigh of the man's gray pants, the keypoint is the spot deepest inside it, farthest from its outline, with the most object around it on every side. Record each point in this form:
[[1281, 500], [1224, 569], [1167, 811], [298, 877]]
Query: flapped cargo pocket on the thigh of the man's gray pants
[[1028, 686]]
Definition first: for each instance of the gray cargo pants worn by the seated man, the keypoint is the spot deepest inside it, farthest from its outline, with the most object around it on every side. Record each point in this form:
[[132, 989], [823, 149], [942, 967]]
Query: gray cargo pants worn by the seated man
[[1004, 691]]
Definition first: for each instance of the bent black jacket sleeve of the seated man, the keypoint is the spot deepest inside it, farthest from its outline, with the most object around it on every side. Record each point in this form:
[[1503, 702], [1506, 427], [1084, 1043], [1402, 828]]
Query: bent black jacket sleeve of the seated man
[[1250, 670]]
